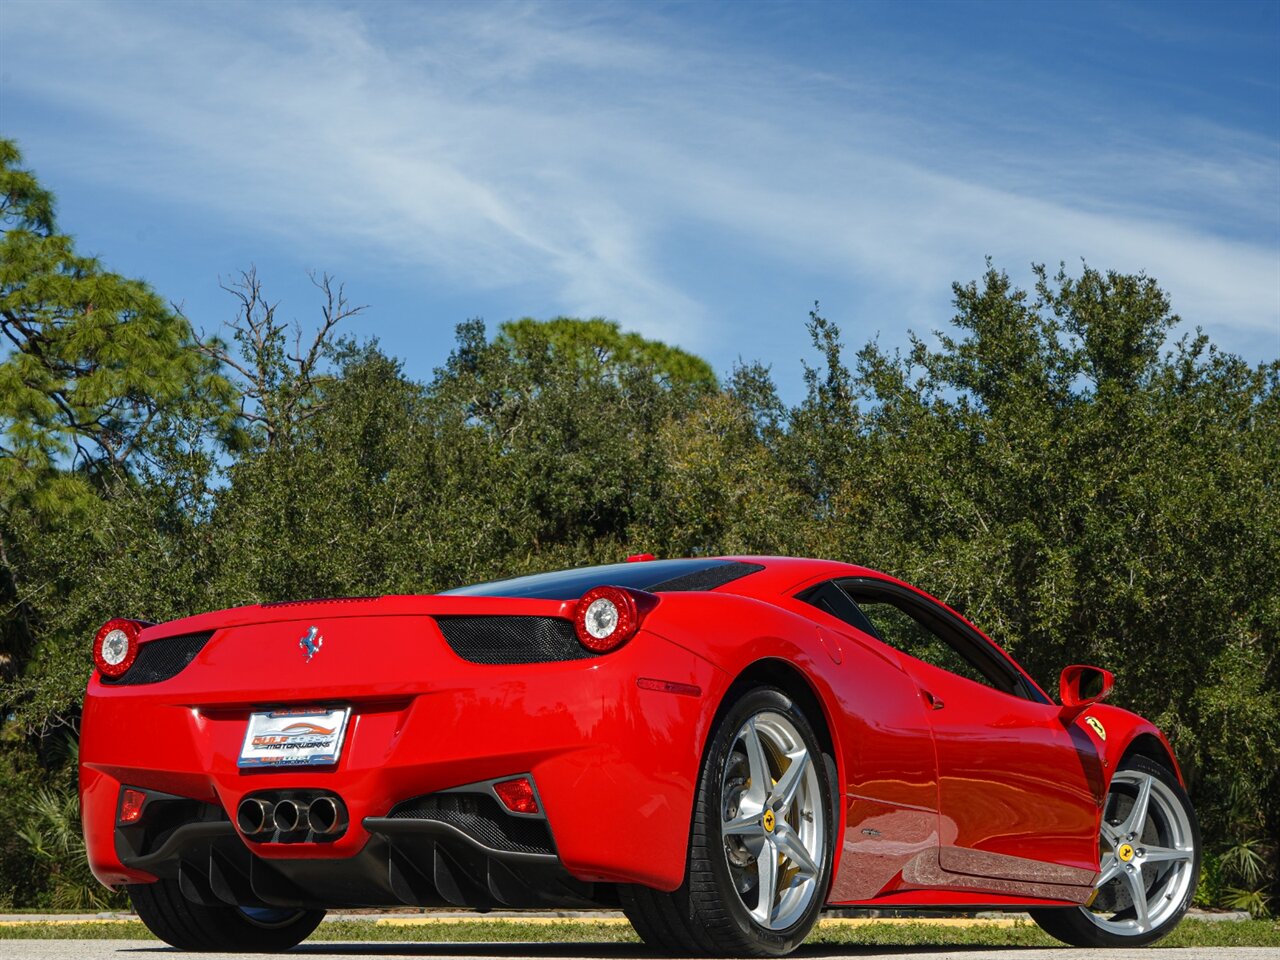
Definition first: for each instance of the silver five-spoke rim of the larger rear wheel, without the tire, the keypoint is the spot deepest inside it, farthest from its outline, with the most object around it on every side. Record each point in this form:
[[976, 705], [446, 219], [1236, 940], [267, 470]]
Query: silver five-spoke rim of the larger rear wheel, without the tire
[[772, 822]]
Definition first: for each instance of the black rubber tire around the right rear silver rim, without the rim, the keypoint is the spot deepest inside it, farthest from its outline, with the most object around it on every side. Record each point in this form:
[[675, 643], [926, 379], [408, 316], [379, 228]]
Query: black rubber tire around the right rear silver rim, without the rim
[[706, 916]]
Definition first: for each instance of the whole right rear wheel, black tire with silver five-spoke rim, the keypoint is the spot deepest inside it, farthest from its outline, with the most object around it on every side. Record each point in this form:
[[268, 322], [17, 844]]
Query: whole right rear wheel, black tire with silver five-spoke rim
[[760, 853]]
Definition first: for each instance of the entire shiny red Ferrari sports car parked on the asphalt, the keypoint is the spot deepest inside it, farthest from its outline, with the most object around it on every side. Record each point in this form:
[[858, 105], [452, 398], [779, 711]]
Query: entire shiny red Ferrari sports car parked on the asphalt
[[719, 747]]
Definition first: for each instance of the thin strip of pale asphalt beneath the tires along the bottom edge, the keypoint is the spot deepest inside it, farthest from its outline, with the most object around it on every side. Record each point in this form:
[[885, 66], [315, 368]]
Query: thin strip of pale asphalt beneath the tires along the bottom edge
[[143, 950]]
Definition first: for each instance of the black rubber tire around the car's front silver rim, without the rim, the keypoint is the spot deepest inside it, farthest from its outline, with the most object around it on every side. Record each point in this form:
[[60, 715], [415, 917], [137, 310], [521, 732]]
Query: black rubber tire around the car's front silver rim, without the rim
[[1073, 925]]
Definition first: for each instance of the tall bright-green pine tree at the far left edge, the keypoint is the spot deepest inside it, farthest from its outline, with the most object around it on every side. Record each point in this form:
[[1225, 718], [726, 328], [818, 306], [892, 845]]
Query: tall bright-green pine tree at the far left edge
[[95, 367]]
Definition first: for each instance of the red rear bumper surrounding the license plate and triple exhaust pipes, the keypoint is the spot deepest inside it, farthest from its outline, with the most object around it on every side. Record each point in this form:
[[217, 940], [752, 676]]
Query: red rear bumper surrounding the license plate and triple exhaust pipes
[[615, 767]]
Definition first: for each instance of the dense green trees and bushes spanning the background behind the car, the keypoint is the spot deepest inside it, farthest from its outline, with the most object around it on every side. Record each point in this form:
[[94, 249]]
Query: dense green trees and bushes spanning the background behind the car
[[1052, 465]]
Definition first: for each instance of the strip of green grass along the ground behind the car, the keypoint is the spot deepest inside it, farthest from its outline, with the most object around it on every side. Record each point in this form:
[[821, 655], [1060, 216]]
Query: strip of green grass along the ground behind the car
[[1190, 934]]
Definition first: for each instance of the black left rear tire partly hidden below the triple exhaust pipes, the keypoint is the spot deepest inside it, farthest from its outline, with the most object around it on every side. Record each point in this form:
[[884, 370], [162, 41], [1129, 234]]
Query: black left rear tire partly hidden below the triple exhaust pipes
[[231, 930]]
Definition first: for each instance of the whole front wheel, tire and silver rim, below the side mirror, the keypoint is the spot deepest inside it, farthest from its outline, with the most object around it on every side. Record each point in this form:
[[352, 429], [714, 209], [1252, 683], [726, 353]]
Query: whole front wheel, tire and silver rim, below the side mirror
[[1149, 852]]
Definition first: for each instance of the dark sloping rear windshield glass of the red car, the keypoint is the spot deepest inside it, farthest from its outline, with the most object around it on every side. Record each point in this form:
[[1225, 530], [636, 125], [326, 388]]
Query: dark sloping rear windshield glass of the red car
[[644, 575]]
